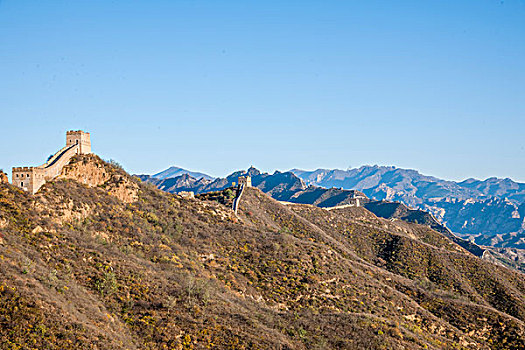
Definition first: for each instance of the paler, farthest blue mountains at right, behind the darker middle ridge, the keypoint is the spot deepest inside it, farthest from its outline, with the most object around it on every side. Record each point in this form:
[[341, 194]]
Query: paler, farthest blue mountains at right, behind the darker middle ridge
[[491, 212]]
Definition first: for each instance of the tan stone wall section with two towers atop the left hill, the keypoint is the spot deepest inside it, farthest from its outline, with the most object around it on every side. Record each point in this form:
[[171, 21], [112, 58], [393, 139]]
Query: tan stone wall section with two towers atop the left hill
[[32, 178]]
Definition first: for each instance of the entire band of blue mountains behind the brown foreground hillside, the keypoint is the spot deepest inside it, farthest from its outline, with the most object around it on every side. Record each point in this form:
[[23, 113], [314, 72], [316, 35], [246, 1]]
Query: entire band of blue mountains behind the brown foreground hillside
[[489, 212]]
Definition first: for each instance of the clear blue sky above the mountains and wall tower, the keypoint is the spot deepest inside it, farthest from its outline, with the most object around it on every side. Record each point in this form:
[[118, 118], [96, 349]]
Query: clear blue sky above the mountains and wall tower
[[217, 86]]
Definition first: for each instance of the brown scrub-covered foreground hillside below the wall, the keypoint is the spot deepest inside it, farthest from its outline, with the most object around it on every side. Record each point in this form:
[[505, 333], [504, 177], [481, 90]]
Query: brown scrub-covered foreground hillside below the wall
[[97, 259]]
